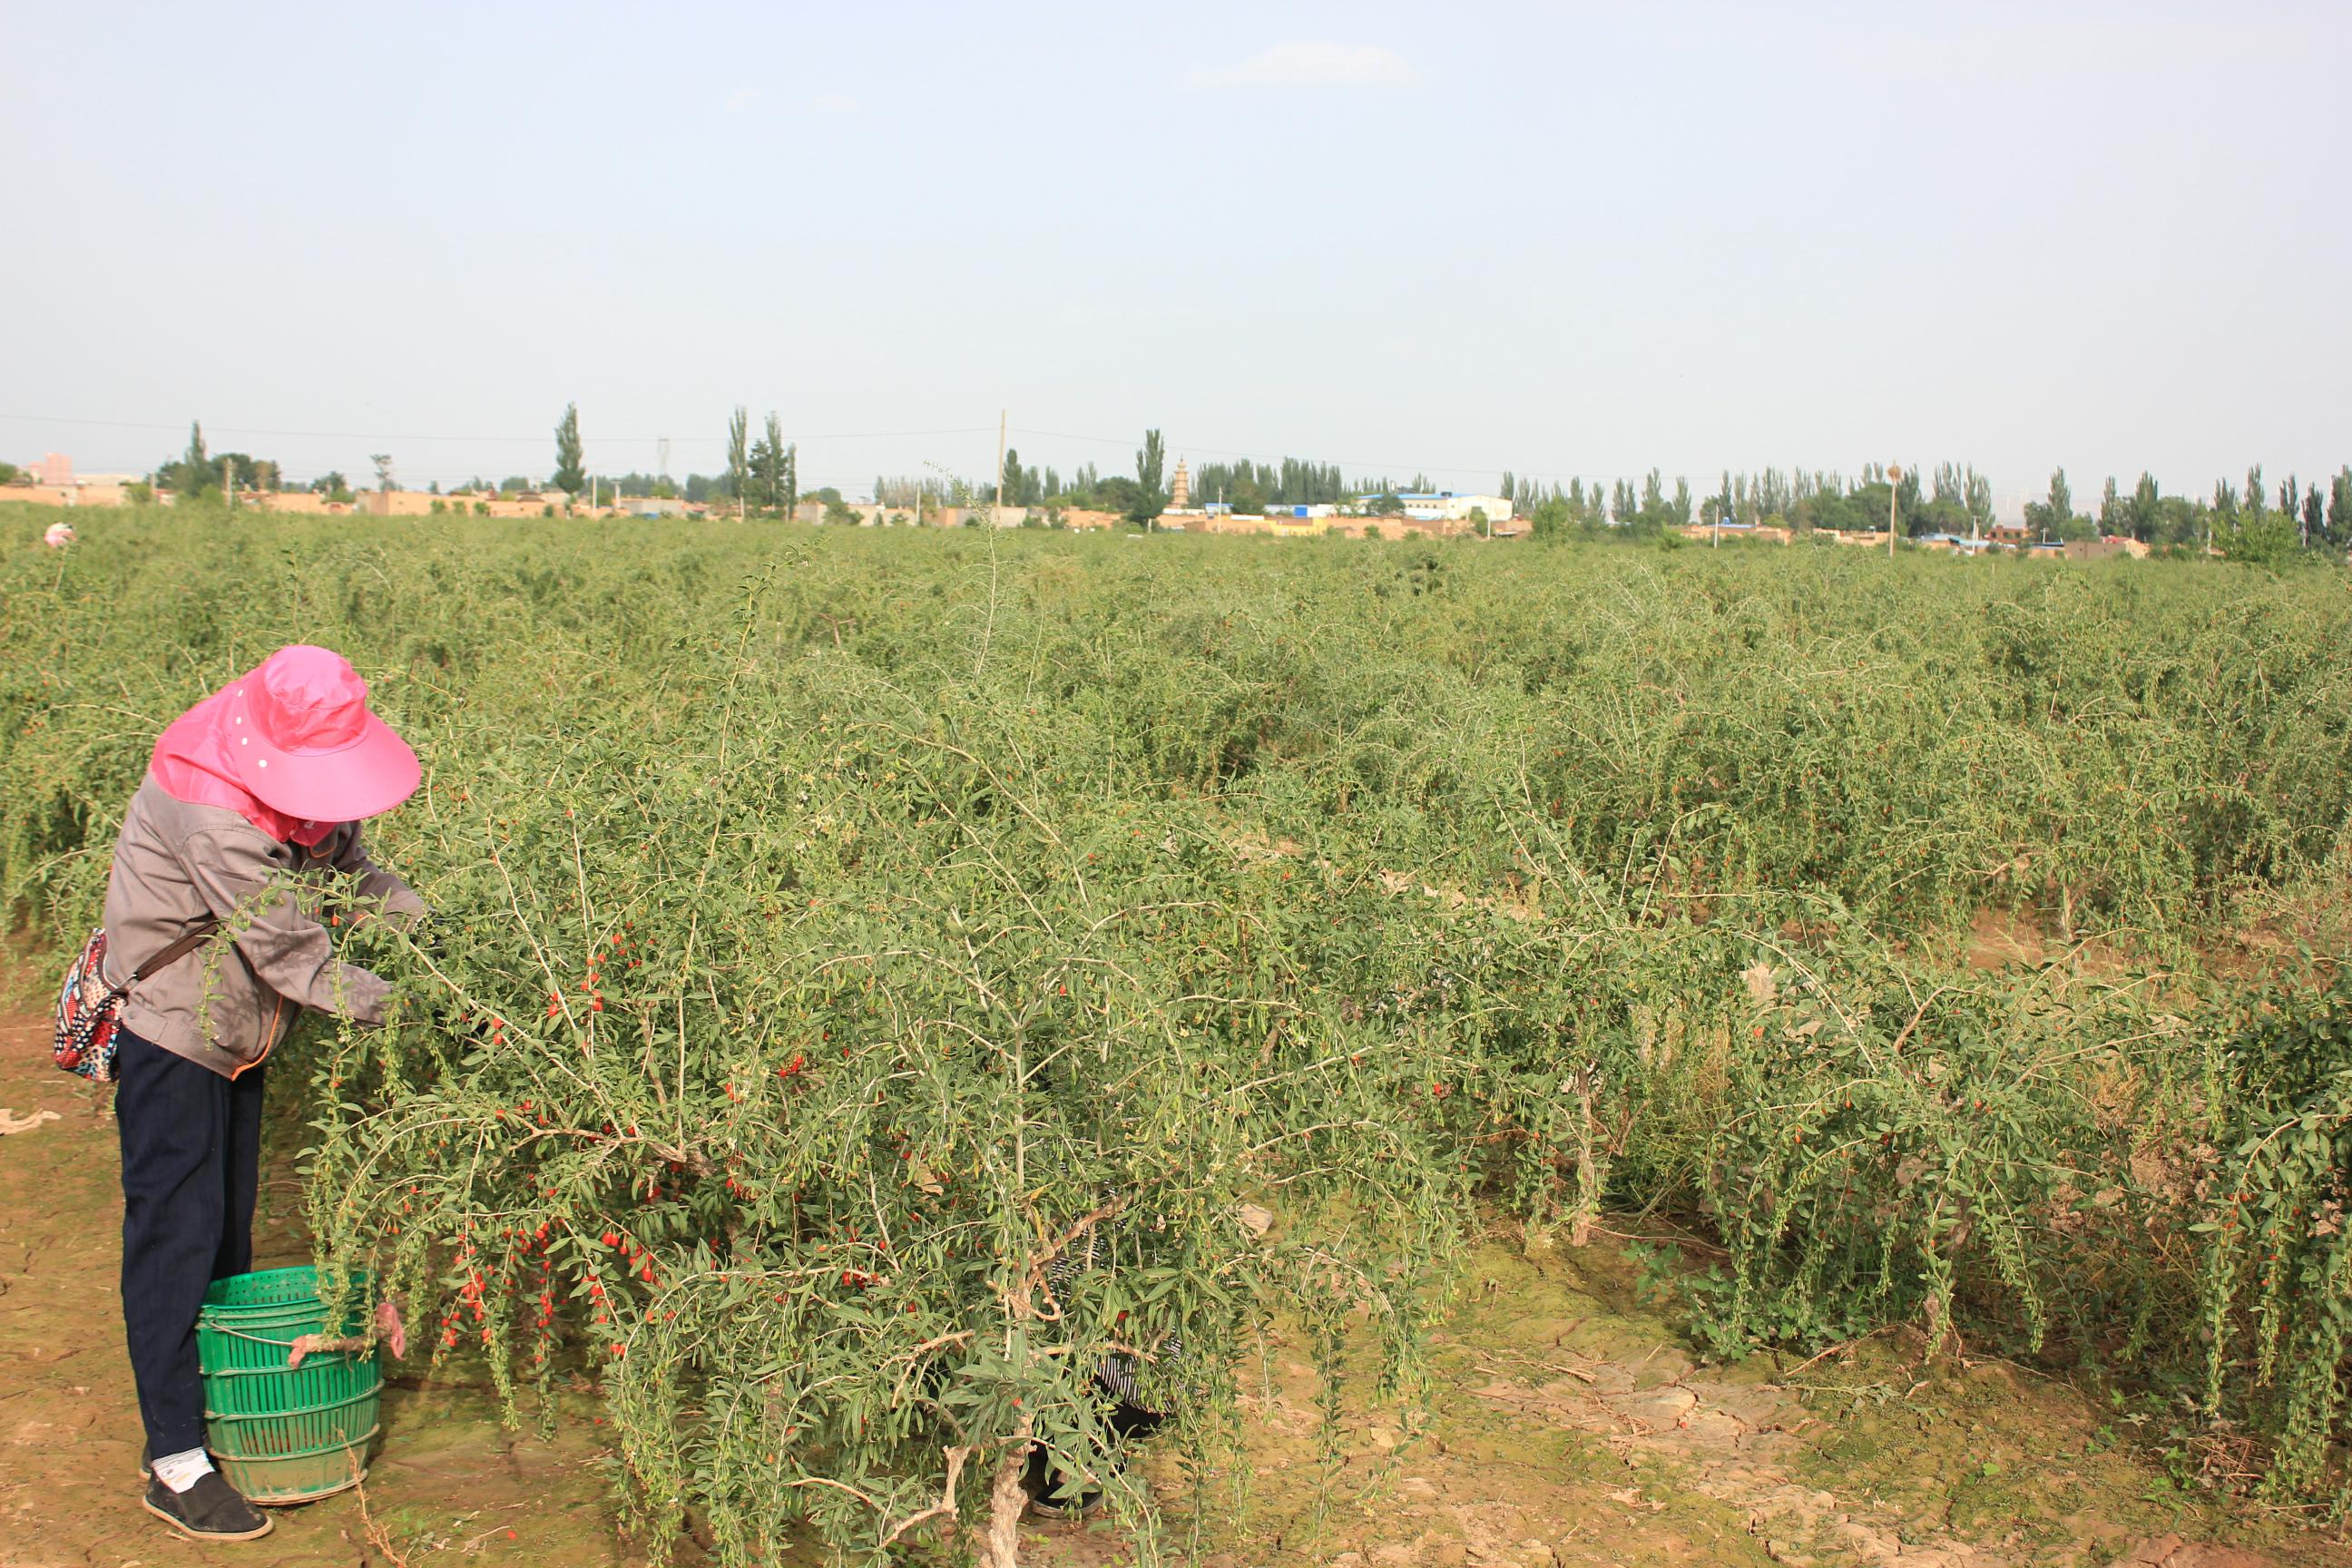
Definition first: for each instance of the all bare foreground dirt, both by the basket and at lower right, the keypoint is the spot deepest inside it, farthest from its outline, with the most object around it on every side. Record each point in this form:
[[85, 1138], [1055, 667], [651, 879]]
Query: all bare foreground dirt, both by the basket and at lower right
[[1565, 1426]]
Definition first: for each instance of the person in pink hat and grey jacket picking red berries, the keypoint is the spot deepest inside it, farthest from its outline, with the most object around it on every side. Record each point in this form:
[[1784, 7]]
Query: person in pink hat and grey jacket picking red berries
[[258, 786]]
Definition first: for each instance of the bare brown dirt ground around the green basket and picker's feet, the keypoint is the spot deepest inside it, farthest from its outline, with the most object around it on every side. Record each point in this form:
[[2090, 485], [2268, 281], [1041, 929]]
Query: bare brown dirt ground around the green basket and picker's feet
[[448, 1477]]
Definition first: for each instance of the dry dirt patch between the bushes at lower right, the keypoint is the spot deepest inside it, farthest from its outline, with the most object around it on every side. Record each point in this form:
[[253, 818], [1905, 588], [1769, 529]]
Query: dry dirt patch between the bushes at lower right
[[1572, 1428]]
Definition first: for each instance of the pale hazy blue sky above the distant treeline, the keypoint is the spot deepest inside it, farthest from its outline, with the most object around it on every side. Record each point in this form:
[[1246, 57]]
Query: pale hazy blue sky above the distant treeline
[[1572, 241]]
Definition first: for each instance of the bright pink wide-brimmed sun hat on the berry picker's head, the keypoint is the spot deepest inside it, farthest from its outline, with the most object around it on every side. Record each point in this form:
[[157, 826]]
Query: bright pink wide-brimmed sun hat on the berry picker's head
[[302, 739]]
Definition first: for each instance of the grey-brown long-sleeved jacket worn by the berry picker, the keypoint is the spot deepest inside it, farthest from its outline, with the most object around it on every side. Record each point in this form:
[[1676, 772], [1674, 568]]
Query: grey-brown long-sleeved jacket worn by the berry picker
[[229, 1003]]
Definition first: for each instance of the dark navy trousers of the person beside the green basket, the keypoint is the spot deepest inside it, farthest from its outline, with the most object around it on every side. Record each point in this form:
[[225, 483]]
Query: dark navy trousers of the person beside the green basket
[[192, 1160]]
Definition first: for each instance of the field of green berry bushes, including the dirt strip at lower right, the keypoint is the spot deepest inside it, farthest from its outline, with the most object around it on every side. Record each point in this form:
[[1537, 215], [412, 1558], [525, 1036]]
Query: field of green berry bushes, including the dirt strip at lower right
[[1845, 1052]]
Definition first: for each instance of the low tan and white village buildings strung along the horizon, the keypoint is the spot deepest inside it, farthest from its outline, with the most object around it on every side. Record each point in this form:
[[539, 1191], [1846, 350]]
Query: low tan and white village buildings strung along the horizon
[[53, 481]]
